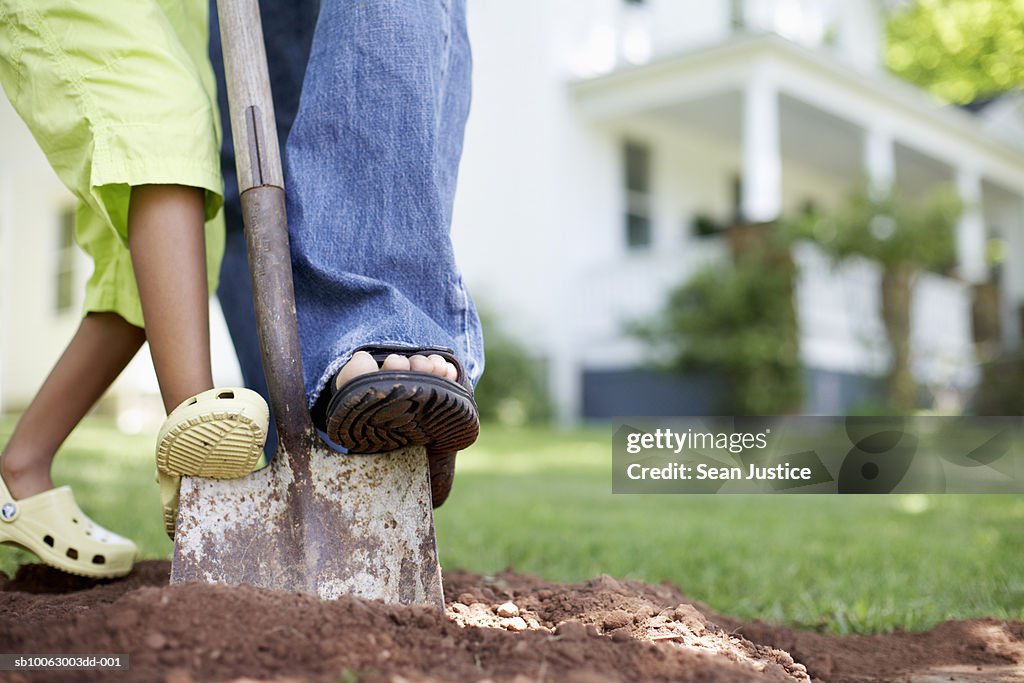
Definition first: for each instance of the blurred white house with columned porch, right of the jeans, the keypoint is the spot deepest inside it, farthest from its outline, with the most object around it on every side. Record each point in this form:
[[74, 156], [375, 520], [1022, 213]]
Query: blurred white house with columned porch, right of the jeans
[[602, 129]]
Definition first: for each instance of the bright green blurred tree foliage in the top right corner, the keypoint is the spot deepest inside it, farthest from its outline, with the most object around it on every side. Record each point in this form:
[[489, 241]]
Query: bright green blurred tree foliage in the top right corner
[[961, 51]]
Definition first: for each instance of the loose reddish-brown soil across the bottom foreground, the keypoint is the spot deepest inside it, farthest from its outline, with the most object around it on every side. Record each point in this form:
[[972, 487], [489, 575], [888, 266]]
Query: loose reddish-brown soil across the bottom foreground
[[510, 628]]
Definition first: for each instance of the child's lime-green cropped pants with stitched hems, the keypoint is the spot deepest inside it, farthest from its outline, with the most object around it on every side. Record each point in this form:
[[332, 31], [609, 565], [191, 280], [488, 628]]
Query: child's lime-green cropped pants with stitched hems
[[117, 94]]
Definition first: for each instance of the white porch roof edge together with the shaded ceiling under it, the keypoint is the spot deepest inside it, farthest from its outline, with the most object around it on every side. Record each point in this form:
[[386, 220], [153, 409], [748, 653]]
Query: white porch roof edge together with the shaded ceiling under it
[[825, 108]]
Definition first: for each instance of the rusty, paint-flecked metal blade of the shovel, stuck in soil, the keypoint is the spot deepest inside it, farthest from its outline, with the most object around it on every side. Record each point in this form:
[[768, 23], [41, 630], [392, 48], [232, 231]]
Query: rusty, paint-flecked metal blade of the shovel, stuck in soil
[[350, 526]]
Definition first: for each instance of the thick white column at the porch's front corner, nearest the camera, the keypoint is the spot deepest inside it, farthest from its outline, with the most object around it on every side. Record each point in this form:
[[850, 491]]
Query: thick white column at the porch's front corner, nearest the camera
[[762, 177]]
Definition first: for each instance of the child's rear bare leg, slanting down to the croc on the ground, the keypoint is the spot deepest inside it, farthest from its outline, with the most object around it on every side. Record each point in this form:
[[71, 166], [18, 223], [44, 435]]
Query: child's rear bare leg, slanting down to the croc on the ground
[[101, 350]]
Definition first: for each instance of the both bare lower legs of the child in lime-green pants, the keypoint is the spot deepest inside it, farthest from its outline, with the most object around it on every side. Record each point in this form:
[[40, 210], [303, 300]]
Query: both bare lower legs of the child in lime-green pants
[[166, 238]]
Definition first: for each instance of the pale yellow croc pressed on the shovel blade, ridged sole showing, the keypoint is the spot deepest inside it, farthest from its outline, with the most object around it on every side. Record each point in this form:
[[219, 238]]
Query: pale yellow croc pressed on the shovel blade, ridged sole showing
[[218, 435]]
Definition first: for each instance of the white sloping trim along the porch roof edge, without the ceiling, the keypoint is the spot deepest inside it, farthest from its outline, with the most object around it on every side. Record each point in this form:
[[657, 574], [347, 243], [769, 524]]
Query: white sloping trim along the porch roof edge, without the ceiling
[[868, 100]]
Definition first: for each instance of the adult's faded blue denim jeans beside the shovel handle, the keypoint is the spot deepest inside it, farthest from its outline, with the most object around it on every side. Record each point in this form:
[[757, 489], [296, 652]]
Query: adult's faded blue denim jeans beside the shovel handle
[[372, 150]]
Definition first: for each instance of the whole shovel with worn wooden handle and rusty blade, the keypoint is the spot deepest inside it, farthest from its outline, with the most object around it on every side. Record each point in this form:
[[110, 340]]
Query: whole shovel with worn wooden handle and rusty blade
[[315, 522]]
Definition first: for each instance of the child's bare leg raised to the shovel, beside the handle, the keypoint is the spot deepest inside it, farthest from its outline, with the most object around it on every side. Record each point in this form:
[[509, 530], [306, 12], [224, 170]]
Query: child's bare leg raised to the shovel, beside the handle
[[168, 251]]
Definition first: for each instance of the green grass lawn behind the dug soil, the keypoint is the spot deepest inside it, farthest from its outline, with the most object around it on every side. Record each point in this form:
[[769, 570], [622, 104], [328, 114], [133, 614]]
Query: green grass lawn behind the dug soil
[[540, 501]]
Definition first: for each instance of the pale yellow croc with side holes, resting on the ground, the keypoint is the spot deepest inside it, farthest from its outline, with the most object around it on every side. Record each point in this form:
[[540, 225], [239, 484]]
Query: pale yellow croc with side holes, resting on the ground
[[52, 526]]
